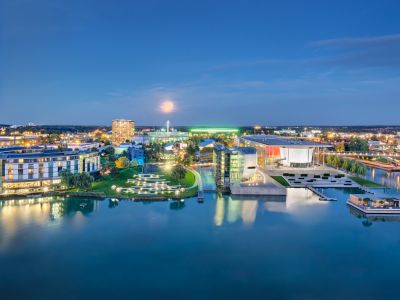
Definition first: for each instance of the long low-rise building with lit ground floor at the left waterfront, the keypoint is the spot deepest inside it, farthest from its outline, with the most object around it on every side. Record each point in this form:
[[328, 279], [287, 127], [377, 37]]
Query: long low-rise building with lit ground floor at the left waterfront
[[36, 170]]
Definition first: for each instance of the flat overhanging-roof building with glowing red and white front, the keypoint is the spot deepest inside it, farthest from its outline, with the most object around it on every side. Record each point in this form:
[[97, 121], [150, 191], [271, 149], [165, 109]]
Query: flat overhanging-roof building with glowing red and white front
[[275, 150]]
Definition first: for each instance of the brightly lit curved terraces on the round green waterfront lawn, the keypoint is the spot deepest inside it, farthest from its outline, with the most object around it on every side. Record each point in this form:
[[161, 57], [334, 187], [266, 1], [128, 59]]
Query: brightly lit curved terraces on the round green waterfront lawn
[[149, 184]]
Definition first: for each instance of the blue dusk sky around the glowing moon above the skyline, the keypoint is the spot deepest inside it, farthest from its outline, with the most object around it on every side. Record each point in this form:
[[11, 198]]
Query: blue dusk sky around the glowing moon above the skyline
[[220, 62]]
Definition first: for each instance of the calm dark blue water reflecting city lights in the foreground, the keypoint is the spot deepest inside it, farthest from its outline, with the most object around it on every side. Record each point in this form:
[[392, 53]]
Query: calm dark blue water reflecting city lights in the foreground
[[293, 248]]
